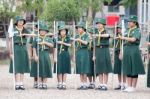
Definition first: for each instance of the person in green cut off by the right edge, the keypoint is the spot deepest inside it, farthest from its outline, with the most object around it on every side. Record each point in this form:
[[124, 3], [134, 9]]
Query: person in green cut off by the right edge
[[148, 75]]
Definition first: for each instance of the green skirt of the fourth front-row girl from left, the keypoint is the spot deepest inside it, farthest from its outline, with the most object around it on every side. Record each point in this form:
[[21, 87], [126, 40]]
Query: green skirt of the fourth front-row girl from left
[[82, 61]]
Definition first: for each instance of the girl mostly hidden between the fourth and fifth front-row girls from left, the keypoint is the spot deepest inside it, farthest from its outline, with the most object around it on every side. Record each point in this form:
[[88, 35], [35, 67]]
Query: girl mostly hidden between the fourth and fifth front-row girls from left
[[91, 75]]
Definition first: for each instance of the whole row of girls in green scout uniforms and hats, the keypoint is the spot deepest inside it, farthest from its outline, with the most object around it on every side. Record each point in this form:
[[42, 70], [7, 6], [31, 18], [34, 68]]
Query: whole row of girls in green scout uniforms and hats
[[88, 64]]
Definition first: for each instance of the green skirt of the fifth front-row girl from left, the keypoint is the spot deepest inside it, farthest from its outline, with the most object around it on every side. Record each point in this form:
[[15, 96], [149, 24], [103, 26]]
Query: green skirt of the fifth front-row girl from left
[[103, 61]]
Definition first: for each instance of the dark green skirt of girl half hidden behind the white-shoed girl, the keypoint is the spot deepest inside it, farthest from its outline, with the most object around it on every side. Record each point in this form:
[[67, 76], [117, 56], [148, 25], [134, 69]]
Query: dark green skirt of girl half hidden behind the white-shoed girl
[[118, 63]]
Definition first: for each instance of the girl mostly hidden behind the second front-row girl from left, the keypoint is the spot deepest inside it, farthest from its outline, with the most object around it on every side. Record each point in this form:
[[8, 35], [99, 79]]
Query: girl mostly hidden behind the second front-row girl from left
[[33, 72]]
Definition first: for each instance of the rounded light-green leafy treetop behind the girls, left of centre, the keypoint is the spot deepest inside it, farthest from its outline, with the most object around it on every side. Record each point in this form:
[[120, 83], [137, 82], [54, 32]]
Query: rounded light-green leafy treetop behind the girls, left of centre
[[66, 10]]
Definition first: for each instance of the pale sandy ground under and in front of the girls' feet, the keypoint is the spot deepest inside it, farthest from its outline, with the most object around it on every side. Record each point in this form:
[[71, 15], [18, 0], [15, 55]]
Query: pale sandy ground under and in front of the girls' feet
[[7, 92]]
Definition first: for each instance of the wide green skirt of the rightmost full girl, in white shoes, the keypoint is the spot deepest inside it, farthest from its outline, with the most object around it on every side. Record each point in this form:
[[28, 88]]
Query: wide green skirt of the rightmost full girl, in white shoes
[[132, 61]]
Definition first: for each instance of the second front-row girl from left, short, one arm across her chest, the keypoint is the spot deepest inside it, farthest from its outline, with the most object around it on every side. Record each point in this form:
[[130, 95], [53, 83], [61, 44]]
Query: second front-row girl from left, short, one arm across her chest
[[42, 47]]
